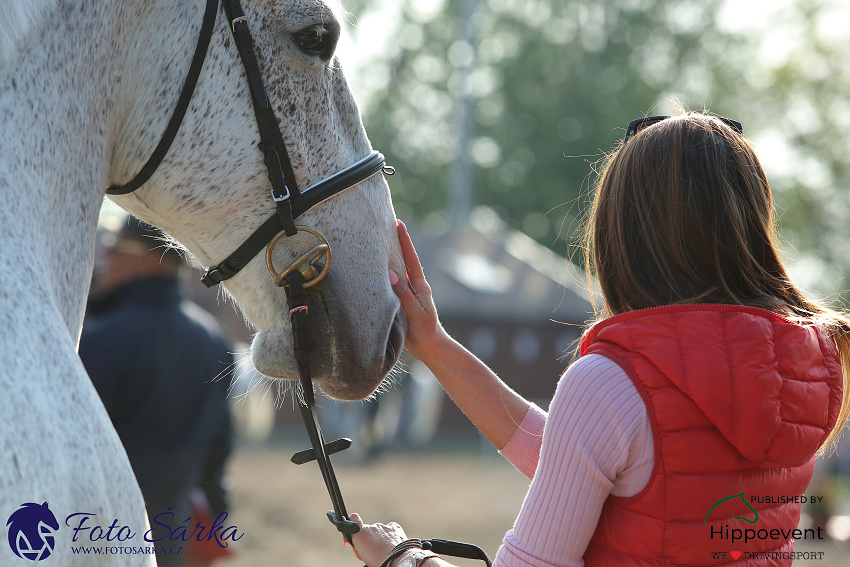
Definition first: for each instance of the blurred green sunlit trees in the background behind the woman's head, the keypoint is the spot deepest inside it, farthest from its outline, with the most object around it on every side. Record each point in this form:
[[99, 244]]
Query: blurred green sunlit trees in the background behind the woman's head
[[554, 83]]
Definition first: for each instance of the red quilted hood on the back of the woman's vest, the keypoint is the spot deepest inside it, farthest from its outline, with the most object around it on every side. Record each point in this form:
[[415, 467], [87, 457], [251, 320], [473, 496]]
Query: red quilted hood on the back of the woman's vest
[[772, 387]]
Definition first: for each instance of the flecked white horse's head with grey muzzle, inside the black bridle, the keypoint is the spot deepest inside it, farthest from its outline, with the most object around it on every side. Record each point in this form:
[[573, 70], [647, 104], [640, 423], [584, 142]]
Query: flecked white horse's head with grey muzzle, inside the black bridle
[[212, 191]]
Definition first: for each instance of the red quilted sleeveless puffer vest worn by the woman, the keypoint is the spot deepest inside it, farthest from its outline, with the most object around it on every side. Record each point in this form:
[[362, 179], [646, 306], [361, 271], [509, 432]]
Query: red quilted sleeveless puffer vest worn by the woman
[[739, 400]]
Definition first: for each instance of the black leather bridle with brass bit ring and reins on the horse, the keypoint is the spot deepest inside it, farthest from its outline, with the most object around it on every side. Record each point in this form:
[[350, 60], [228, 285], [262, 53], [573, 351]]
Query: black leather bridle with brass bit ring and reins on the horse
[[290, 203]]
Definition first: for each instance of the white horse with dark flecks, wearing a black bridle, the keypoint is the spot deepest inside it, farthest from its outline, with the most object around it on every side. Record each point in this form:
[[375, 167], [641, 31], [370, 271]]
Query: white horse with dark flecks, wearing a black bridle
[[86, 89]]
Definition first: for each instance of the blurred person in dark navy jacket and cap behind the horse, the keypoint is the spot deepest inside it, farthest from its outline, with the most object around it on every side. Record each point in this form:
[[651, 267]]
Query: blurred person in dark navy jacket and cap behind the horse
[[155, 359]]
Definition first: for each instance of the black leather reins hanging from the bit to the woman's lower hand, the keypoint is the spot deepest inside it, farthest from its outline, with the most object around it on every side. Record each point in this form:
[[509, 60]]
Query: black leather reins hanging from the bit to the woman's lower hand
[[293, 285]]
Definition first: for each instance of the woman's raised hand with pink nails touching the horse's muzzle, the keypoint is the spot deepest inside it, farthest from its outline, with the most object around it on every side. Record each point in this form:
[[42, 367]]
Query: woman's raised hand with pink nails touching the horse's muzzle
[[424, 331]]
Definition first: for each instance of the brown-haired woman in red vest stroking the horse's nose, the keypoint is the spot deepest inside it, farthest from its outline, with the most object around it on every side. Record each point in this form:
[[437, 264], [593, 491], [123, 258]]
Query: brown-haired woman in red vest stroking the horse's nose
[[702, 394]]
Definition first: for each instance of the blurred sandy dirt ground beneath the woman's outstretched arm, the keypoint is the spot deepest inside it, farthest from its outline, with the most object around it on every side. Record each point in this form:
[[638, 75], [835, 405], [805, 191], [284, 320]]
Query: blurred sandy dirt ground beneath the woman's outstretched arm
[[461, 491]]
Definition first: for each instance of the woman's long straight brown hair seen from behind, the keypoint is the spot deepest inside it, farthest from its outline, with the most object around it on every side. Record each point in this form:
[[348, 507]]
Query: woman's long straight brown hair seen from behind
[[683, 213]]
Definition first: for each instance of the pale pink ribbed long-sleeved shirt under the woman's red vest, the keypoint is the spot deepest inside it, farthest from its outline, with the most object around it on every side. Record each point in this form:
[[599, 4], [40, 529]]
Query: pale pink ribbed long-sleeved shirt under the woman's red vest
[[595, 441]]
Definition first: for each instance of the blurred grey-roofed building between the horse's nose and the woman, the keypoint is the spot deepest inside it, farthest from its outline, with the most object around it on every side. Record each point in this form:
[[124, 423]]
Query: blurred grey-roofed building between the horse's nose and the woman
[[517, 305]]
